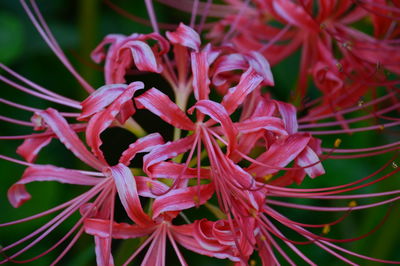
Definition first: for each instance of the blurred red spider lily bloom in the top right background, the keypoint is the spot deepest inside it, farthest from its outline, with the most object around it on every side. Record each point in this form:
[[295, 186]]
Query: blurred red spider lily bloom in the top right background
[[321, 30]]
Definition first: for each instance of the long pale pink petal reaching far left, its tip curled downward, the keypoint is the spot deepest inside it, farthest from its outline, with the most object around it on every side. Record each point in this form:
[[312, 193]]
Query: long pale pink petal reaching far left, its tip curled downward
[[17, 194]]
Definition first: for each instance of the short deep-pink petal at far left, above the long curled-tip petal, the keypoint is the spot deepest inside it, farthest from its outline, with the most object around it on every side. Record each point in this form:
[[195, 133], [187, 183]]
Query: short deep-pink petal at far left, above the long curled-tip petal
[[30, 148]]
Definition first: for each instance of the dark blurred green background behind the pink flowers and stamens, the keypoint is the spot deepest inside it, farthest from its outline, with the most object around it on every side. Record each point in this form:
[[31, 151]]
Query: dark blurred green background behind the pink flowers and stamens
[[79, 26]]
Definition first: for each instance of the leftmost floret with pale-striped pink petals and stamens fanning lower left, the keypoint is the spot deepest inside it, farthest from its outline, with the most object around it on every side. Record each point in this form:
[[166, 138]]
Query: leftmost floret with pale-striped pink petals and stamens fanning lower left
[[104, 188]]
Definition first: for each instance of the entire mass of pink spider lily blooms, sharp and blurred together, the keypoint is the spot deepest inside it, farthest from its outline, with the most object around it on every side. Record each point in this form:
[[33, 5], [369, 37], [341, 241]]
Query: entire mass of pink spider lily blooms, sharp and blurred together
[[236, 151]]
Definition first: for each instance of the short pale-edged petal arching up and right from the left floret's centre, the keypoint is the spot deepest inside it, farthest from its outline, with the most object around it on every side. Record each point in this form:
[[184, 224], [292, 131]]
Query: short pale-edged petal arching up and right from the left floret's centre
[[144, 144]]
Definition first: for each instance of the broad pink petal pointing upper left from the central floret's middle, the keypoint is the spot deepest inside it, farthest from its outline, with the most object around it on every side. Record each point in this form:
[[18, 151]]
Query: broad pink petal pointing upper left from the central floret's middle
[[158, 103]]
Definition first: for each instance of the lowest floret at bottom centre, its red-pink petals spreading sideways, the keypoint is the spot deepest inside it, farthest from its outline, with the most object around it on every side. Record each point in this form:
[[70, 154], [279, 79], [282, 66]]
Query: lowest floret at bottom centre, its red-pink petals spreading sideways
[[164, 209]]
